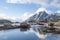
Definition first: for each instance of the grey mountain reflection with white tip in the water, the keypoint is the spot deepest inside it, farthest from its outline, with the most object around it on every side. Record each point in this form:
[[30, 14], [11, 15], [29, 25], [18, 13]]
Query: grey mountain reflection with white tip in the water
[[39, 31]]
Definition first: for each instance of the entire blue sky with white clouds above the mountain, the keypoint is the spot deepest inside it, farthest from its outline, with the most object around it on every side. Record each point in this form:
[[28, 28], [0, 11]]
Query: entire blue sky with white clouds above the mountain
[[22, 9]]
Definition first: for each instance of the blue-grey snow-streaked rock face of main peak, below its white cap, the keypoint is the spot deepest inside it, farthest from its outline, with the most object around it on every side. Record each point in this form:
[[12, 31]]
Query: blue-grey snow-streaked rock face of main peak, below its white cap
[[41, 16]]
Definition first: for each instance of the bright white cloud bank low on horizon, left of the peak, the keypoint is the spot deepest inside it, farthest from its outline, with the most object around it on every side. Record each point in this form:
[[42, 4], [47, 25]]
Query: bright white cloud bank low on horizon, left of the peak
[[25, 16]]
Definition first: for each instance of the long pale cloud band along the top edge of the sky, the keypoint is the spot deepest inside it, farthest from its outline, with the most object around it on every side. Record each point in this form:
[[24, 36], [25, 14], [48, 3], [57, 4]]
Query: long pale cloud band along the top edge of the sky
[[43, 3]]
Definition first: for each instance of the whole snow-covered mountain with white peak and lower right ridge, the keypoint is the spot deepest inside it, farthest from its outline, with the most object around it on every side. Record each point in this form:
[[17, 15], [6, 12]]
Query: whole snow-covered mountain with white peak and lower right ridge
[[42, 14]]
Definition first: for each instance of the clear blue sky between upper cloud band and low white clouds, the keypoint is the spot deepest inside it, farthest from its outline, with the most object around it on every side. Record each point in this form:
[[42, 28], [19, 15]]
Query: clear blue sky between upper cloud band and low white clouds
[[17, 9]]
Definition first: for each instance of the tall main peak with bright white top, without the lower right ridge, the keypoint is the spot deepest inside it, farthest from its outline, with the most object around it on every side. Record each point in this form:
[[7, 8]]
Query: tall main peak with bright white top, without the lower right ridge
[[40, 14]]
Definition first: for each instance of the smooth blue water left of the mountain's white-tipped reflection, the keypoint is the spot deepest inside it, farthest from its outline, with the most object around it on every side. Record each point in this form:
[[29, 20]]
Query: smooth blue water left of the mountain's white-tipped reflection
[[16, 34]]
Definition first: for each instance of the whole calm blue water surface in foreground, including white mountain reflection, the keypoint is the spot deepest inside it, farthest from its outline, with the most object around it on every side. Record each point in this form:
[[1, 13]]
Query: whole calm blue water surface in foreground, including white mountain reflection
[[32, 34]]
